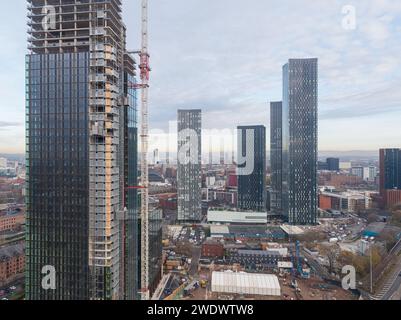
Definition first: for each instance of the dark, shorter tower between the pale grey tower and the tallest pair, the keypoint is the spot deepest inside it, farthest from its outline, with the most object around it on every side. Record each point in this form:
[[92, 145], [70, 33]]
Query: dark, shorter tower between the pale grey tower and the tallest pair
[[252, 168]]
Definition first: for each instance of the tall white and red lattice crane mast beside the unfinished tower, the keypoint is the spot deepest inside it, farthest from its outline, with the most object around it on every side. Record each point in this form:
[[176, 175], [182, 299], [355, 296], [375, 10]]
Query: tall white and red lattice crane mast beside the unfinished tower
[[145, 76]]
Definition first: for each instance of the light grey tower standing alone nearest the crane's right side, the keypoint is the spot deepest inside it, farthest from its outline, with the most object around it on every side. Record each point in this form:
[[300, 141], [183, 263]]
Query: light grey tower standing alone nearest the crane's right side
[[189, 175]]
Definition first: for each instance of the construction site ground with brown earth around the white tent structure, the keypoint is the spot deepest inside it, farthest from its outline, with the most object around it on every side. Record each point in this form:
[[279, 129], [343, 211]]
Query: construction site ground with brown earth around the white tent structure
[[201, 268]]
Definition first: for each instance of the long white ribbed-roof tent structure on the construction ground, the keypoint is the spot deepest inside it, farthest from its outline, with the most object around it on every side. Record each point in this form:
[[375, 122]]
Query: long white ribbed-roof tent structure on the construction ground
[[246, 283]]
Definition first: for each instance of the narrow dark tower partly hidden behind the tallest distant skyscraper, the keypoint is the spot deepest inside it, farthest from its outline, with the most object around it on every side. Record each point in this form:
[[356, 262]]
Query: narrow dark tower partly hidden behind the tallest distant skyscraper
[[276, 123]]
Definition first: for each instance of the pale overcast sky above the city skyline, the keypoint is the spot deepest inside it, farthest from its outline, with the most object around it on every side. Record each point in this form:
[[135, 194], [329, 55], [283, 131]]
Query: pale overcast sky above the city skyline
[[226, 57]]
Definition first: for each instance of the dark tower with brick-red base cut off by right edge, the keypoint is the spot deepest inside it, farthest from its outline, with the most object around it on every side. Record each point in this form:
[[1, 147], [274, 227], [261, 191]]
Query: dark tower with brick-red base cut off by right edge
[[390, 176]]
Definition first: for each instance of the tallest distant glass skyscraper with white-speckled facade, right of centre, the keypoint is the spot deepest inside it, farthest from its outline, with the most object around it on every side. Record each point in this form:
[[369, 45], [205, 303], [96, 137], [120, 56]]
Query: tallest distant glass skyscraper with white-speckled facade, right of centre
[[299, 156]]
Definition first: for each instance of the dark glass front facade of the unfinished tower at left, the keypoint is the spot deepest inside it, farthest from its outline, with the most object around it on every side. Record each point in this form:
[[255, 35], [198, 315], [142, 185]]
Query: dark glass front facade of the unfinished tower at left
[[57, 157]]
